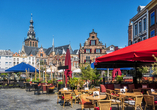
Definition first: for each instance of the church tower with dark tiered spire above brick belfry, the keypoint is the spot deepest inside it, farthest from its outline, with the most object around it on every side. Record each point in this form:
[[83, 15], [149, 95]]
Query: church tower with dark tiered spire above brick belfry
[[31, 40]]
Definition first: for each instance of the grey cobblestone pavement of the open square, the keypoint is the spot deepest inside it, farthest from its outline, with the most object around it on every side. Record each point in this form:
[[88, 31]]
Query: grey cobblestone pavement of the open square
[[19, 99]]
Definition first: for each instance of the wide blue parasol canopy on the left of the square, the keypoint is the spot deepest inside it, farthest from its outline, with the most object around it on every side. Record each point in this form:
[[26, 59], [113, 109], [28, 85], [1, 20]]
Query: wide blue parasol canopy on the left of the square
[[22, 67]]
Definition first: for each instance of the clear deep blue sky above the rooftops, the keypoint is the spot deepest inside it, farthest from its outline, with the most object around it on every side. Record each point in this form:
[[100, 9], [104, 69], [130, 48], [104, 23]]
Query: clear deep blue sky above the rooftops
[[67, 21]]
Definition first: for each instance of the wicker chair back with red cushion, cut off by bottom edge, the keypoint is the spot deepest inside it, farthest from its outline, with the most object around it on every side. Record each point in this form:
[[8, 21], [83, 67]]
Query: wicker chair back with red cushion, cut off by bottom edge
[[104, 105]]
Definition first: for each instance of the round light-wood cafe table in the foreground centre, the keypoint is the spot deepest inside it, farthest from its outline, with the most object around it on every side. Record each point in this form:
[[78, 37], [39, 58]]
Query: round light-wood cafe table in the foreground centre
[[94, 99]]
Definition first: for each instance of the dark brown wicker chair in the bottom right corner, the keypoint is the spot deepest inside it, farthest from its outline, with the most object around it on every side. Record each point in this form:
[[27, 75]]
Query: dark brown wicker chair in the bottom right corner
[[149, 101]]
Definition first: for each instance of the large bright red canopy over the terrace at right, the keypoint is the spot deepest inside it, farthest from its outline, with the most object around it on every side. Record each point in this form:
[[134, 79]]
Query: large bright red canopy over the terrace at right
[[137, 54]]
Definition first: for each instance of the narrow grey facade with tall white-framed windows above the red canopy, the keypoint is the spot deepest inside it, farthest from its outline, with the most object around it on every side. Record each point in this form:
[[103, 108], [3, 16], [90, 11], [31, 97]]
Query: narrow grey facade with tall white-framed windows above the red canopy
[[138, 26]]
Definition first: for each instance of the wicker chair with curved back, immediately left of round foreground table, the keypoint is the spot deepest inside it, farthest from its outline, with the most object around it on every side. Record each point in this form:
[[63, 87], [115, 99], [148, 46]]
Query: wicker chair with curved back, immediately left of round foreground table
[[86, 103]]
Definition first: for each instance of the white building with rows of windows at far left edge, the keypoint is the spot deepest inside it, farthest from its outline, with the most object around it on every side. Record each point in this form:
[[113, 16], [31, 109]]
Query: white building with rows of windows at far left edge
[[6, 60]]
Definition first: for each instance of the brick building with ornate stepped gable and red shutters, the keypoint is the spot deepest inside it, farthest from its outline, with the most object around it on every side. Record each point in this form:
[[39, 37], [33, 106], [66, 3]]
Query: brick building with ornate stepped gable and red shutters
[[92, 49]]
